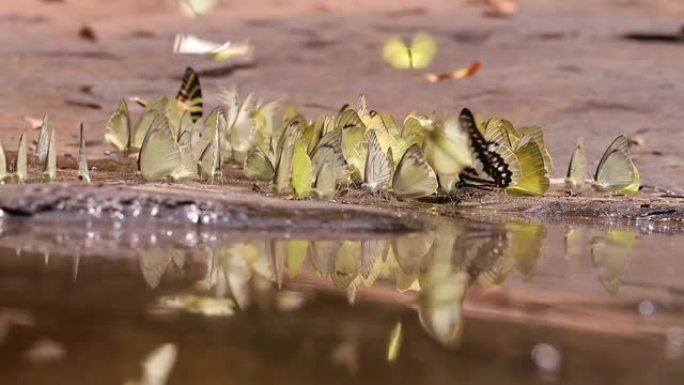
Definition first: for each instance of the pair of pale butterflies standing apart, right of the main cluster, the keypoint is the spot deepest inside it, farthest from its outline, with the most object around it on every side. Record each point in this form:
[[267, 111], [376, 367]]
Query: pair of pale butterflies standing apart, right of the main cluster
[[616, 172]]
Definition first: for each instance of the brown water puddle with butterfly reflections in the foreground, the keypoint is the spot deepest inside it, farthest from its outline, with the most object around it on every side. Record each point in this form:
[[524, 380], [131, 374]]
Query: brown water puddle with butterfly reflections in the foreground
[[465, 300]]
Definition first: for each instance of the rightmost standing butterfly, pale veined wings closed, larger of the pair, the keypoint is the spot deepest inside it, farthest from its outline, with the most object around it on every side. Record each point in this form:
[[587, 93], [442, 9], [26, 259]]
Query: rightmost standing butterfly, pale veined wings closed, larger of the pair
[[616, 171]]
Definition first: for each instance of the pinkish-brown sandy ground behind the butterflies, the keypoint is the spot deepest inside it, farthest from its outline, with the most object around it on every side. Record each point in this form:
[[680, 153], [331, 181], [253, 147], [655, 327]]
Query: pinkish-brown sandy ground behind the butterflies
[[561, 65]]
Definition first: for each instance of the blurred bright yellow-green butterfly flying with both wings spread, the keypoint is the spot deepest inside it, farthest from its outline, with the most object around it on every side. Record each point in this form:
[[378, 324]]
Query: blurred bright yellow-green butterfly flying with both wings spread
[[418, 55]]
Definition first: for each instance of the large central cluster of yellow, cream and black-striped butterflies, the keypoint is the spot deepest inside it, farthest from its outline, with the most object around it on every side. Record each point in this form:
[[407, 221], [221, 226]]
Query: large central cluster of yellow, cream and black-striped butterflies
[[357, 147]]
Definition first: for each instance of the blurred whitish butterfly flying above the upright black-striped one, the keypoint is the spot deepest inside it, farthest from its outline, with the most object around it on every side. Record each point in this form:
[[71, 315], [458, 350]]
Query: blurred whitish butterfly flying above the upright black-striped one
[[189, 44]]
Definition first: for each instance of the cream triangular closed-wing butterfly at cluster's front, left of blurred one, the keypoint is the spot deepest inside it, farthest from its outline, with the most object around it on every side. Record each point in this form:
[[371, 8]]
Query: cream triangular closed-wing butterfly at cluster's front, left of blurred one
[[413, 178]]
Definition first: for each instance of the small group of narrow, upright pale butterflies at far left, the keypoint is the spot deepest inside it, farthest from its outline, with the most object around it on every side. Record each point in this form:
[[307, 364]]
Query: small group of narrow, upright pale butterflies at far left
[[45, 156]]
